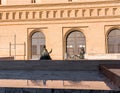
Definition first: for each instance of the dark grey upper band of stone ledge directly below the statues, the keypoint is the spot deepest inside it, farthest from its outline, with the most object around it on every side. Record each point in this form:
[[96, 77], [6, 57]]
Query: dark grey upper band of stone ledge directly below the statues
[[56, 65]]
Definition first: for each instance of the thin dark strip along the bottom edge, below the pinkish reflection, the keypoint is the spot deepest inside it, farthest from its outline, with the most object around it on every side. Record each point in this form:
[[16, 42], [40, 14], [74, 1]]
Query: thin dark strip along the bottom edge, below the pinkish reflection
[[34, 90]]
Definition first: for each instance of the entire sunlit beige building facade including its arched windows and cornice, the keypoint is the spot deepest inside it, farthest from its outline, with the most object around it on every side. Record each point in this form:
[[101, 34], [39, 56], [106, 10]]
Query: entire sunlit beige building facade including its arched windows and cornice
[[65, 26]]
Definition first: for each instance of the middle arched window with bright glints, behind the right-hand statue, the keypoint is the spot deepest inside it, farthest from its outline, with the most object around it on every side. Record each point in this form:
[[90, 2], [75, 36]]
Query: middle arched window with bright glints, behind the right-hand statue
[[75, 40]]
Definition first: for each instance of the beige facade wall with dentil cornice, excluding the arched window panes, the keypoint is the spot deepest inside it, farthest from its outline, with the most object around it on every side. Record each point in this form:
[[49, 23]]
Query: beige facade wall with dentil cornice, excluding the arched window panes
[[55, 21]]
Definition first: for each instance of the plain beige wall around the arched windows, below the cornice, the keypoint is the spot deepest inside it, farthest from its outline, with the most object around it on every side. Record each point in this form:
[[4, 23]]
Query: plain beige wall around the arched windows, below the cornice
[[95, 39]]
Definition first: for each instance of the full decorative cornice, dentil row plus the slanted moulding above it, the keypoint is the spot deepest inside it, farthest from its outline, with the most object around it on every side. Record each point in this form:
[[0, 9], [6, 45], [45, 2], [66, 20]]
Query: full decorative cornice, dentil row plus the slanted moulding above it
[[56, 12]]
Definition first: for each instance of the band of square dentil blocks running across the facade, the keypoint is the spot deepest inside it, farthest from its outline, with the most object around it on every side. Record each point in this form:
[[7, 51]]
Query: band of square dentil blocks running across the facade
[[60, 12]]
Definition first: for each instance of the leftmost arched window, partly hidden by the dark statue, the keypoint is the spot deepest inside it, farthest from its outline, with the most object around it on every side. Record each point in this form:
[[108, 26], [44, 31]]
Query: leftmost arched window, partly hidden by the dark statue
[[38, 41]]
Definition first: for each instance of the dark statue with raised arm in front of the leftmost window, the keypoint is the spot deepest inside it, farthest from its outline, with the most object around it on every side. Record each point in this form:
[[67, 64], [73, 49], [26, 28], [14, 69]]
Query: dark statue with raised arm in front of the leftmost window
[[45, 54]]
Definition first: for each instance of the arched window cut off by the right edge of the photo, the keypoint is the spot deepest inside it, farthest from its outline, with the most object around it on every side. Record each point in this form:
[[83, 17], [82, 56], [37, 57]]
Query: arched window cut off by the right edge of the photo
[[114, 41]]
